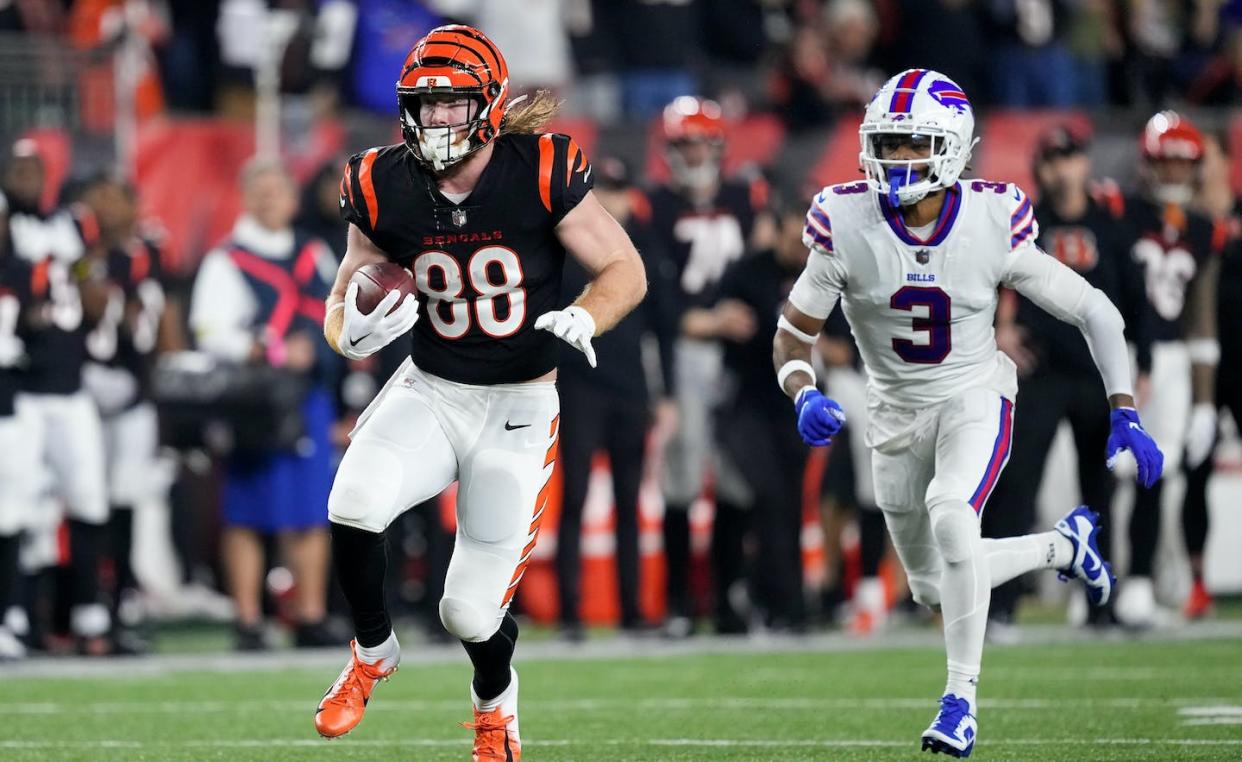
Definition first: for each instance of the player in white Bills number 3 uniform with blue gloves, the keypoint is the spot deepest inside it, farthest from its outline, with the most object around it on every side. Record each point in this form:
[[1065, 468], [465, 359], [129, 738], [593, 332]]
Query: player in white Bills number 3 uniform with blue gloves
[[916, 258]]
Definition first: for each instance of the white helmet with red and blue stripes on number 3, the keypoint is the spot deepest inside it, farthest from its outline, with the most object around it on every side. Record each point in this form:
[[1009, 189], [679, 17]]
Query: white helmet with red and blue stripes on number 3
[[923, 104]]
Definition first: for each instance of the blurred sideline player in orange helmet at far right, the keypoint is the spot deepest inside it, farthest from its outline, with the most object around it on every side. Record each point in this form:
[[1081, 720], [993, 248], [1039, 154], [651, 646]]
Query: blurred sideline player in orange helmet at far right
[[1179, 251]]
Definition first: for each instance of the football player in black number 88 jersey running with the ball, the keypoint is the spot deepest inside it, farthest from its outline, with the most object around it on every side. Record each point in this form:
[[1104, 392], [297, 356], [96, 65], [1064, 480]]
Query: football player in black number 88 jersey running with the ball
[[483, 208]]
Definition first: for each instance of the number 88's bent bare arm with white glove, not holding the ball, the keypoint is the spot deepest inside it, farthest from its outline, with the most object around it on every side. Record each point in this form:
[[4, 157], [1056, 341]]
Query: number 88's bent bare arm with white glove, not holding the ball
[[619, 281]]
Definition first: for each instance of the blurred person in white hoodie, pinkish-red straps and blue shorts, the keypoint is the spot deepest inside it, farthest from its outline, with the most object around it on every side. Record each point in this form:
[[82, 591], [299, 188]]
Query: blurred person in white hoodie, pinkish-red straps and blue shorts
[[259, 298]]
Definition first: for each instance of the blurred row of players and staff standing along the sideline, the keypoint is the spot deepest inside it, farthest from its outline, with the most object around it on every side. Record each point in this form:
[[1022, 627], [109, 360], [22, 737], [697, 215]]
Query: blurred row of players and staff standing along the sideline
[[131, 462]]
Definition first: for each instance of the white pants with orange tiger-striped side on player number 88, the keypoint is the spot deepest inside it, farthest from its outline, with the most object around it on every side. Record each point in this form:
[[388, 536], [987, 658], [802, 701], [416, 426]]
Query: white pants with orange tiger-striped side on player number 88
[[422, 434]]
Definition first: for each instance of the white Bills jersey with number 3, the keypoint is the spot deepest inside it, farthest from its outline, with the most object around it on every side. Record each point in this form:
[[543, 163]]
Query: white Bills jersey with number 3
[[922, 308]]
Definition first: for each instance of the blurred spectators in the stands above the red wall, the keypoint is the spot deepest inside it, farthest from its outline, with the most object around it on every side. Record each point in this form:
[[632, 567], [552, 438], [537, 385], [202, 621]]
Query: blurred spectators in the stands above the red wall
[[805, 60]]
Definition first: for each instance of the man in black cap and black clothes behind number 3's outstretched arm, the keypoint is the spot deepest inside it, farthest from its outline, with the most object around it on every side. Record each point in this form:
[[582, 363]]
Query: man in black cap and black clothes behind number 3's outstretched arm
[[1053, 357]]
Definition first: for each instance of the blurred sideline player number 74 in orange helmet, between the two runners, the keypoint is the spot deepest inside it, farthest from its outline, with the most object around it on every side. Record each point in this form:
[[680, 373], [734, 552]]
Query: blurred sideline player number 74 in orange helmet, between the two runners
[[702, 222]]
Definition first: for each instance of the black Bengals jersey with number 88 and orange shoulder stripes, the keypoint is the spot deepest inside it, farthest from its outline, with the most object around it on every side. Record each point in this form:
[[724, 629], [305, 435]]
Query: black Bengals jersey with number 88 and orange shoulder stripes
[[485, 269]]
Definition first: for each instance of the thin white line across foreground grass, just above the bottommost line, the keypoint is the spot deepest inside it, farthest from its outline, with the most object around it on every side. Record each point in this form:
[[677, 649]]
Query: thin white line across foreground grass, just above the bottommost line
[[1193, 706]]
